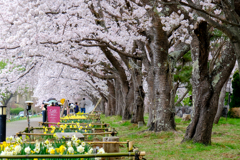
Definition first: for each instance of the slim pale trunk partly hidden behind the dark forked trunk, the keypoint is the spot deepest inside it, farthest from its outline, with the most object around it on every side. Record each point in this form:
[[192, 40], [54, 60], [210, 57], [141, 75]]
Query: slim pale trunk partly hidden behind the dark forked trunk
[[221, 103]]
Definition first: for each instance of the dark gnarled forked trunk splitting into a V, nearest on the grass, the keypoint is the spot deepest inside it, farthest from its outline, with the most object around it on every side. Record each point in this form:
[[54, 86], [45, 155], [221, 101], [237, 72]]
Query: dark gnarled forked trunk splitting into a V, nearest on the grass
[[206, 86]]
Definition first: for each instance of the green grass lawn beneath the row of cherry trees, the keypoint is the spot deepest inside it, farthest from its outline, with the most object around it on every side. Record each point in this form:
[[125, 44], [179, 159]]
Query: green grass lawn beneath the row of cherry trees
[[167, 145]]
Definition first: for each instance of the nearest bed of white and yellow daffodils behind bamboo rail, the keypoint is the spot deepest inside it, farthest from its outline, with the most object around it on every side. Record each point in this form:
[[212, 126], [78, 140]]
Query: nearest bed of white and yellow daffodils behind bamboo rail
[[56, 147]]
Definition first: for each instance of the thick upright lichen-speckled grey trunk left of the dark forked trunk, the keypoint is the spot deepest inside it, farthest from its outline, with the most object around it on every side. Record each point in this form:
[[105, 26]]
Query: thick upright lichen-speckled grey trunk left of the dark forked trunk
[[164, 113]]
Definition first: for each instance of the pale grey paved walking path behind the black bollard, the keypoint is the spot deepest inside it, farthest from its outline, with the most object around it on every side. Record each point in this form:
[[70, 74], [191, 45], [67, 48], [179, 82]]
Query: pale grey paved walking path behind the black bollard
[[16, 126]]
